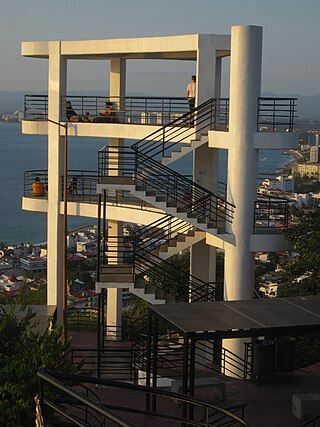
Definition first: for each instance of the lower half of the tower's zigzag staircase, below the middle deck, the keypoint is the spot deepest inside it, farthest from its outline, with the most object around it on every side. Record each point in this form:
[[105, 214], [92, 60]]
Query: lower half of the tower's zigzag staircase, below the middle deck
[[135, 262]]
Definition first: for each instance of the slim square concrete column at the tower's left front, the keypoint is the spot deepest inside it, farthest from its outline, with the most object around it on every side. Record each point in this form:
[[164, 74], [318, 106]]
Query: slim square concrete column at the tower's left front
[[55, 234]]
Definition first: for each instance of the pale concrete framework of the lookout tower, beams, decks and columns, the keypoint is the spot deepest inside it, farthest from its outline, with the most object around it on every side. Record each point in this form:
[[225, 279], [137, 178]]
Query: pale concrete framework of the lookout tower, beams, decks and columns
[[240, 128]]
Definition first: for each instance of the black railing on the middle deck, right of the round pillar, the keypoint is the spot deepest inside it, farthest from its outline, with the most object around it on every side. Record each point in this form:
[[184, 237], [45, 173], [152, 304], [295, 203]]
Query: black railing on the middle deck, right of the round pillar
[[271, 214]]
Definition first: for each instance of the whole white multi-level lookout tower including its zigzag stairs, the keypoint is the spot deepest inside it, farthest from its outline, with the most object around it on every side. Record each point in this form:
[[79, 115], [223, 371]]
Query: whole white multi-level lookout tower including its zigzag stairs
[[137, 184]]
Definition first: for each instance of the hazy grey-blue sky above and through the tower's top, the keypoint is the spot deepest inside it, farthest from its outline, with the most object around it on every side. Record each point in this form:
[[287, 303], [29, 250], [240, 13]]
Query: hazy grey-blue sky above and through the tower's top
[[291, 39]]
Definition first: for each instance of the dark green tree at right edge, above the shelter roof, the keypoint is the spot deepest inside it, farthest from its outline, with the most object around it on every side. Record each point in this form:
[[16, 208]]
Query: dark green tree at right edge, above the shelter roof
[[305, 241]]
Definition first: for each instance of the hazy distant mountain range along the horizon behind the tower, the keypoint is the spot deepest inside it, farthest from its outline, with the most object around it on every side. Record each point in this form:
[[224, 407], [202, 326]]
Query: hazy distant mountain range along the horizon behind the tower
[[308, 106]]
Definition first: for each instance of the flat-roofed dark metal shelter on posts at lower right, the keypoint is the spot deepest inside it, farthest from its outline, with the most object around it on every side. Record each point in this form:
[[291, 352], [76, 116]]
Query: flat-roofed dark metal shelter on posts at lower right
[[227, 319]]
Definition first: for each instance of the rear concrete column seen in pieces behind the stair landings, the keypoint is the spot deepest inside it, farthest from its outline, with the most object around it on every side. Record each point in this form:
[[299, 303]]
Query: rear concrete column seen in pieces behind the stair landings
[[117, 89]]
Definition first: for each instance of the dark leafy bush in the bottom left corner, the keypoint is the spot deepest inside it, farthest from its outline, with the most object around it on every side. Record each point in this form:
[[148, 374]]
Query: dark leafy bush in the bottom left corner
[[23, 352]]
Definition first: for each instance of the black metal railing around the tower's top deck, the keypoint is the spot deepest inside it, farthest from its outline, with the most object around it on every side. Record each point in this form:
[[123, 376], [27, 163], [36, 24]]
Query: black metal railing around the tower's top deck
[[274, 114]]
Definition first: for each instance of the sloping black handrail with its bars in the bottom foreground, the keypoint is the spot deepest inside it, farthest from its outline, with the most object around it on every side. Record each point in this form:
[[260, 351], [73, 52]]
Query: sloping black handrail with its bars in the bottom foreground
[[54, 379]]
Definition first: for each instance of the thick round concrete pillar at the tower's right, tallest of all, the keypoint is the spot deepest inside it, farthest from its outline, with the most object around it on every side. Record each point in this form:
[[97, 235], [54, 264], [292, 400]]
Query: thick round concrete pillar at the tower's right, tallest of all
[[245, 86]]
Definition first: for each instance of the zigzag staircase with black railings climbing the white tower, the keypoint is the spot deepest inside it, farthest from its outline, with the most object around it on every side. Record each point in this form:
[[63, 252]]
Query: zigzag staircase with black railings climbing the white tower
[[140, 263]]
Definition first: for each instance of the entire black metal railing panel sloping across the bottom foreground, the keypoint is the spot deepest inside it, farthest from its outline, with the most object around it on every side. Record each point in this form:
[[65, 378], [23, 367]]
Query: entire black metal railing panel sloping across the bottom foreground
[[64, 385]]
